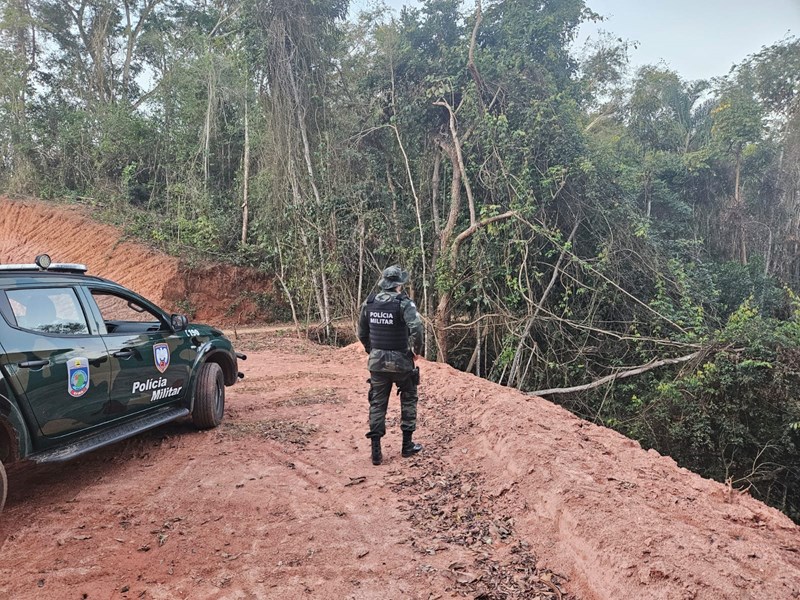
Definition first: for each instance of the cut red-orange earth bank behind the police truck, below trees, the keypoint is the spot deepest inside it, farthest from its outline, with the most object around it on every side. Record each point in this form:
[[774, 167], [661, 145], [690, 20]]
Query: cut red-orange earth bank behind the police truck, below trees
[[220, 295]]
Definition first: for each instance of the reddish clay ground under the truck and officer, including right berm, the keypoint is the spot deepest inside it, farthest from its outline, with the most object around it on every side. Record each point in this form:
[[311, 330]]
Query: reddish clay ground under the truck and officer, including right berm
[[512, 497]]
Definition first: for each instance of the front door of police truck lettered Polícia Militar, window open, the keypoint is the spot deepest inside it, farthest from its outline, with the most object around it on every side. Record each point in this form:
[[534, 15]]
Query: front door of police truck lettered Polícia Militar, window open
[[149, 363]]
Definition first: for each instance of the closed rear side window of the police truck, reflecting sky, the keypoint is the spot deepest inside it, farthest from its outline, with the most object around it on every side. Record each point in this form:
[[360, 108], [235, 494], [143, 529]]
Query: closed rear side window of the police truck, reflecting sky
[[53, 310]]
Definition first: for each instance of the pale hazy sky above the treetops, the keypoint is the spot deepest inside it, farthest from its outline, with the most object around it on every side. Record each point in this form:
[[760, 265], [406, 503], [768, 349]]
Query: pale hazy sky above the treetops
[[697, 38]]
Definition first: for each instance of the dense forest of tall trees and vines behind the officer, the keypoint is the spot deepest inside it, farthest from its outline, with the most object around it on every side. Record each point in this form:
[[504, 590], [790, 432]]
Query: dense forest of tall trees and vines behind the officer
[[568, 223]]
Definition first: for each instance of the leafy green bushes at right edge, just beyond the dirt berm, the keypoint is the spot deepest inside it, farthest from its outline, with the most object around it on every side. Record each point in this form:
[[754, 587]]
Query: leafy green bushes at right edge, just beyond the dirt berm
[[731, 417]]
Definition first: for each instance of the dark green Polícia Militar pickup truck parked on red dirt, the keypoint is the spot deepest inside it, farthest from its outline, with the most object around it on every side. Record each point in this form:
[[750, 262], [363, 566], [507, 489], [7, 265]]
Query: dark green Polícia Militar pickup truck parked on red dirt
[[85, 362]]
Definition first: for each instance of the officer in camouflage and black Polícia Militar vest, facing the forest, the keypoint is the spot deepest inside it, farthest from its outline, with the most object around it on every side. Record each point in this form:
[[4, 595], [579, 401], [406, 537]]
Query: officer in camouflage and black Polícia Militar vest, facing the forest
[[391, 331]]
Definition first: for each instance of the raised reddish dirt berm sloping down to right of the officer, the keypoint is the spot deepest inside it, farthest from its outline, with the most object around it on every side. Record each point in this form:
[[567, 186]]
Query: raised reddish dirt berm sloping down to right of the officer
[[619, 521]]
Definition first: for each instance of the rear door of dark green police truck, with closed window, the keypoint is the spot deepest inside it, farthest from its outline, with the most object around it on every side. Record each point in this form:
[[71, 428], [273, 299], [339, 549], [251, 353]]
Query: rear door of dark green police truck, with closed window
[[54, 360]]
